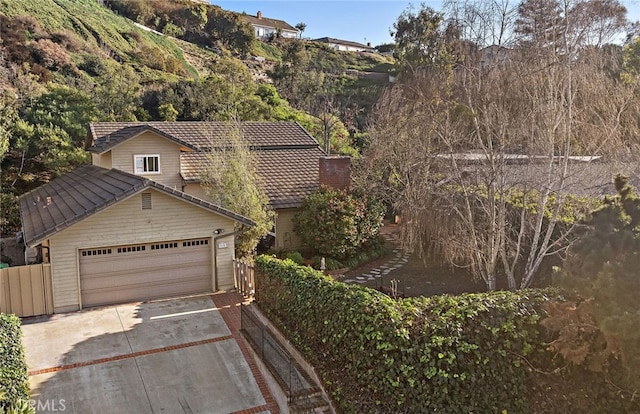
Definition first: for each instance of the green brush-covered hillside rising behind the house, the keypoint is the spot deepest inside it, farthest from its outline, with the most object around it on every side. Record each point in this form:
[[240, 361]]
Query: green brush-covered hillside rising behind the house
[[65, 63]]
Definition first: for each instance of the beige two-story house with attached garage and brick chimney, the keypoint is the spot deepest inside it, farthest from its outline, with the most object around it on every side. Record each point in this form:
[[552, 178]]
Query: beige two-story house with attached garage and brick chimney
[[136, 225]]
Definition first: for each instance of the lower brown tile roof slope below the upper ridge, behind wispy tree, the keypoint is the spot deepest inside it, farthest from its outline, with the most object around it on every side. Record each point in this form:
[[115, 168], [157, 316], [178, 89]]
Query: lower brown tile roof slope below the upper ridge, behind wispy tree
[[288, 175]]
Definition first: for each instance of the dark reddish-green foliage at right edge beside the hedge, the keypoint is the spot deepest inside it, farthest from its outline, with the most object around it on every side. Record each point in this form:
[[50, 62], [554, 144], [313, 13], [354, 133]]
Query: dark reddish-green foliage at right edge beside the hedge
[[599, 330]]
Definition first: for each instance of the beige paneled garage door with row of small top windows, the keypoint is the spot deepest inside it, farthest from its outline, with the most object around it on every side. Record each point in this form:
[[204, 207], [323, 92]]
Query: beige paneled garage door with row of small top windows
[[130, 273]]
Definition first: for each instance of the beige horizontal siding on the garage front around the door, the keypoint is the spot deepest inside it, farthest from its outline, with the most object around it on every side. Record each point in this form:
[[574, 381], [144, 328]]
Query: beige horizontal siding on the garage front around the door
[[127, 223]]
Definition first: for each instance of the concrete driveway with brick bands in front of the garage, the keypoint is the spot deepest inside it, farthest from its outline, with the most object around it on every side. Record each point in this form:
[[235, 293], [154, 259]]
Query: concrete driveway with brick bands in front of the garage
[[173, 356]]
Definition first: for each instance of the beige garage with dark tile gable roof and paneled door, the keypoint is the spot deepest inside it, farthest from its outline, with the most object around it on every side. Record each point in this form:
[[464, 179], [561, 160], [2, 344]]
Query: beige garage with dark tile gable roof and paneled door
[[113, 237]]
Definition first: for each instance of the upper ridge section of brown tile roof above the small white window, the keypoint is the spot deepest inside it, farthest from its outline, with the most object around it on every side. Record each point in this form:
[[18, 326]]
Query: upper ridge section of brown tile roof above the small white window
[[204, 135]]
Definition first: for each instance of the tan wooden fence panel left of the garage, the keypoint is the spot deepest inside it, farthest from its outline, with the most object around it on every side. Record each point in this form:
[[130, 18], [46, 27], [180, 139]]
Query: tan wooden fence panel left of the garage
[[26, 290]]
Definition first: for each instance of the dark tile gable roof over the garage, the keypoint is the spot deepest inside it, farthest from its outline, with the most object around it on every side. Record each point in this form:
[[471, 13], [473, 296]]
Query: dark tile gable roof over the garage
[[85, 191]]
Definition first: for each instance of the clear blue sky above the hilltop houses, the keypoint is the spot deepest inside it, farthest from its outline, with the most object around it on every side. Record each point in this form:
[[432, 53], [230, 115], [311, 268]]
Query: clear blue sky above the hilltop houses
[[360, 21]]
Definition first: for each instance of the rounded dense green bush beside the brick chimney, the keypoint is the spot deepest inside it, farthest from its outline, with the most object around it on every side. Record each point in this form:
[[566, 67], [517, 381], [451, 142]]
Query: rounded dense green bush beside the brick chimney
[[337, 223]]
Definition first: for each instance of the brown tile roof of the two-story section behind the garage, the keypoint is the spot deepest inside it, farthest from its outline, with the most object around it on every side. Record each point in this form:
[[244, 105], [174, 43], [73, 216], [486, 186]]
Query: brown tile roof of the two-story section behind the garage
[[287, 156]]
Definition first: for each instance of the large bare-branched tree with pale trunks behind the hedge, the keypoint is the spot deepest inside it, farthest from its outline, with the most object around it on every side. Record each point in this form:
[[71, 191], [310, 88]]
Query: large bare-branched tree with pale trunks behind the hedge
[[443, 146]]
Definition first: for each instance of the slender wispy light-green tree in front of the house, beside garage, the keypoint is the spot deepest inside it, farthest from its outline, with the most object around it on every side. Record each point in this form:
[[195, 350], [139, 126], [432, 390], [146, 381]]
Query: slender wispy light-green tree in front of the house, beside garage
[[230, 180]]
